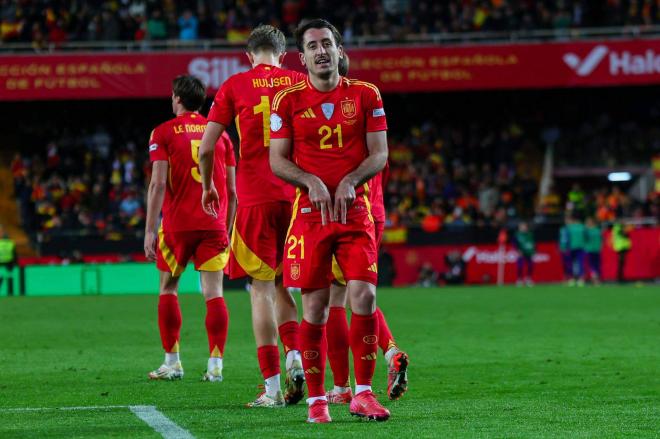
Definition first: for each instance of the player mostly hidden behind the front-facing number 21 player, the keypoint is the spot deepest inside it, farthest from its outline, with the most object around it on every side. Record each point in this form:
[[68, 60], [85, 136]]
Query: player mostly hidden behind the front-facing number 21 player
[[338, 342]]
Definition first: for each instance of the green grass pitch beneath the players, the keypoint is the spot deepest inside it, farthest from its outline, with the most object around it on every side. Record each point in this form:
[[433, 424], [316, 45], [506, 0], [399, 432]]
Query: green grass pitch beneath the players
[[549, 361]]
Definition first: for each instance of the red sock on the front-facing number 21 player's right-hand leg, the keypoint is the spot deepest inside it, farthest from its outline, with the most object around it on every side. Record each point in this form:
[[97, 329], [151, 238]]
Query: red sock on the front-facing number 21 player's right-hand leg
[[364, 344]]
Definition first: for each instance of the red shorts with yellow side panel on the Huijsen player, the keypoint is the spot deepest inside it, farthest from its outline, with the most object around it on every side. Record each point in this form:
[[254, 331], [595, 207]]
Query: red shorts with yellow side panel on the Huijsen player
[[257, 240]]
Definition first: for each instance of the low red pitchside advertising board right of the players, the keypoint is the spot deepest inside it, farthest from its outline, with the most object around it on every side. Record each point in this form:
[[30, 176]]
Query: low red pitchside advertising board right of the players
[[642, 262]]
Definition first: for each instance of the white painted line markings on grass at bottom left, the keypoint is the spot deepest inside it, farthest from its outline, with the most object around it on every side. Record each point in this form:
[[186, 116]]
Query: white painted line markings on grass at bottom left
[[147, 413]]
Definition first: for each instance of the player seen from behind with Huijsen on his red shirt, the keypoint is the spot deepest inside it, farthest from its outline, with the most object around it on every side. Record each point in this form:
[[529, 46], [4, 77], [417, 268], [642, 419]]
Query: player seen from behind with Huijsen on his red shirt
[[264, 209]]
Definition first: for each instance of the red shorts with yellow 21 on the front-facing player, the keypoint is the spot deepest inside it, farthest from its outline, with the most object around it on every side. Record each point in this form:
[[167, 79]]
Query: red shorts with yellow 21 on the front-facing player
[[310, 248]]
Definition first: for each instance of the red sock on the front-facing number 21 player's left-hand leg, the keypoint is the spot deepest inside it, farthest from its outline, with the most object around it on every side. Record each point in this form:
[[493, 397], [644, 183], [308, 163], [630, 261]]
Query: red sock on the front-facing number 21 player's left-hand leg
[[313, 353]]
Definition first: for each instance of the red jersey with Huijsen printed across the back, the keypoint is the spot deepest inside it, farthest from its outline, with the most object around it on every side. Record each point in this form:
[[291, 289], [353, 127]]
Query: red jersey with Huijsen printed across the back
[[246, 97]]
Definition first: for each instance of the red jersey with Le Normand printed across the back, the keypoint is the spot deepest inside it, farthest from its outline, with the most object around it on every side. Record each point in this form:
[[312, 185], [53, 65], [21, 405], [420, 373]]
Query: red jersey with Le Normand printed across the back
[[177, 141]]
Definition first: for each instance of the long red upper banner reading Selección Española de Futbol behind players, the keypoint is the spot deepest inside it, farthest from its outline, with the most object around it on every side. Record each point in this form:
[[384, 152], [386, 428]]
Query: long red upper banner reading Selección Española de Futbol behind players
[[393, 69]]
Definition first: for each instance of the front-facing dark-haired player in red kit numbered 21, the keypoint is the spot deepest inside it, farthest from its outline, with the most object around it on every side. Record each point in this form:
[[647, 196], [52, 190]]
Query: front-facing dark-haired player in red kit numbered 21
[[328, 138]]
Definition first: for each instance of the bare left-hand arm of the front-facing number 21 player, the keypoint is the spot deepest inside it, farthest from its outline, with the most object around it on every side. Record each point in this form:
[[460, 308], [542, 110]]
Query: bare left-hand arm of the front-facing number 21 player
[[319, 196]]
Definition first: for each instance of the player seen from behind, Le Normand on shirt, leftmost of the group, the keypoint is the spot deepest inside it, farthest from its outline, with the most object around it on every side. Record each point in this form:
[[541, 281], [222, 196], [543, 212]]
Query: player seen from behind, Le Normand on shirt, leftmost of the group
[[186, 232]]
